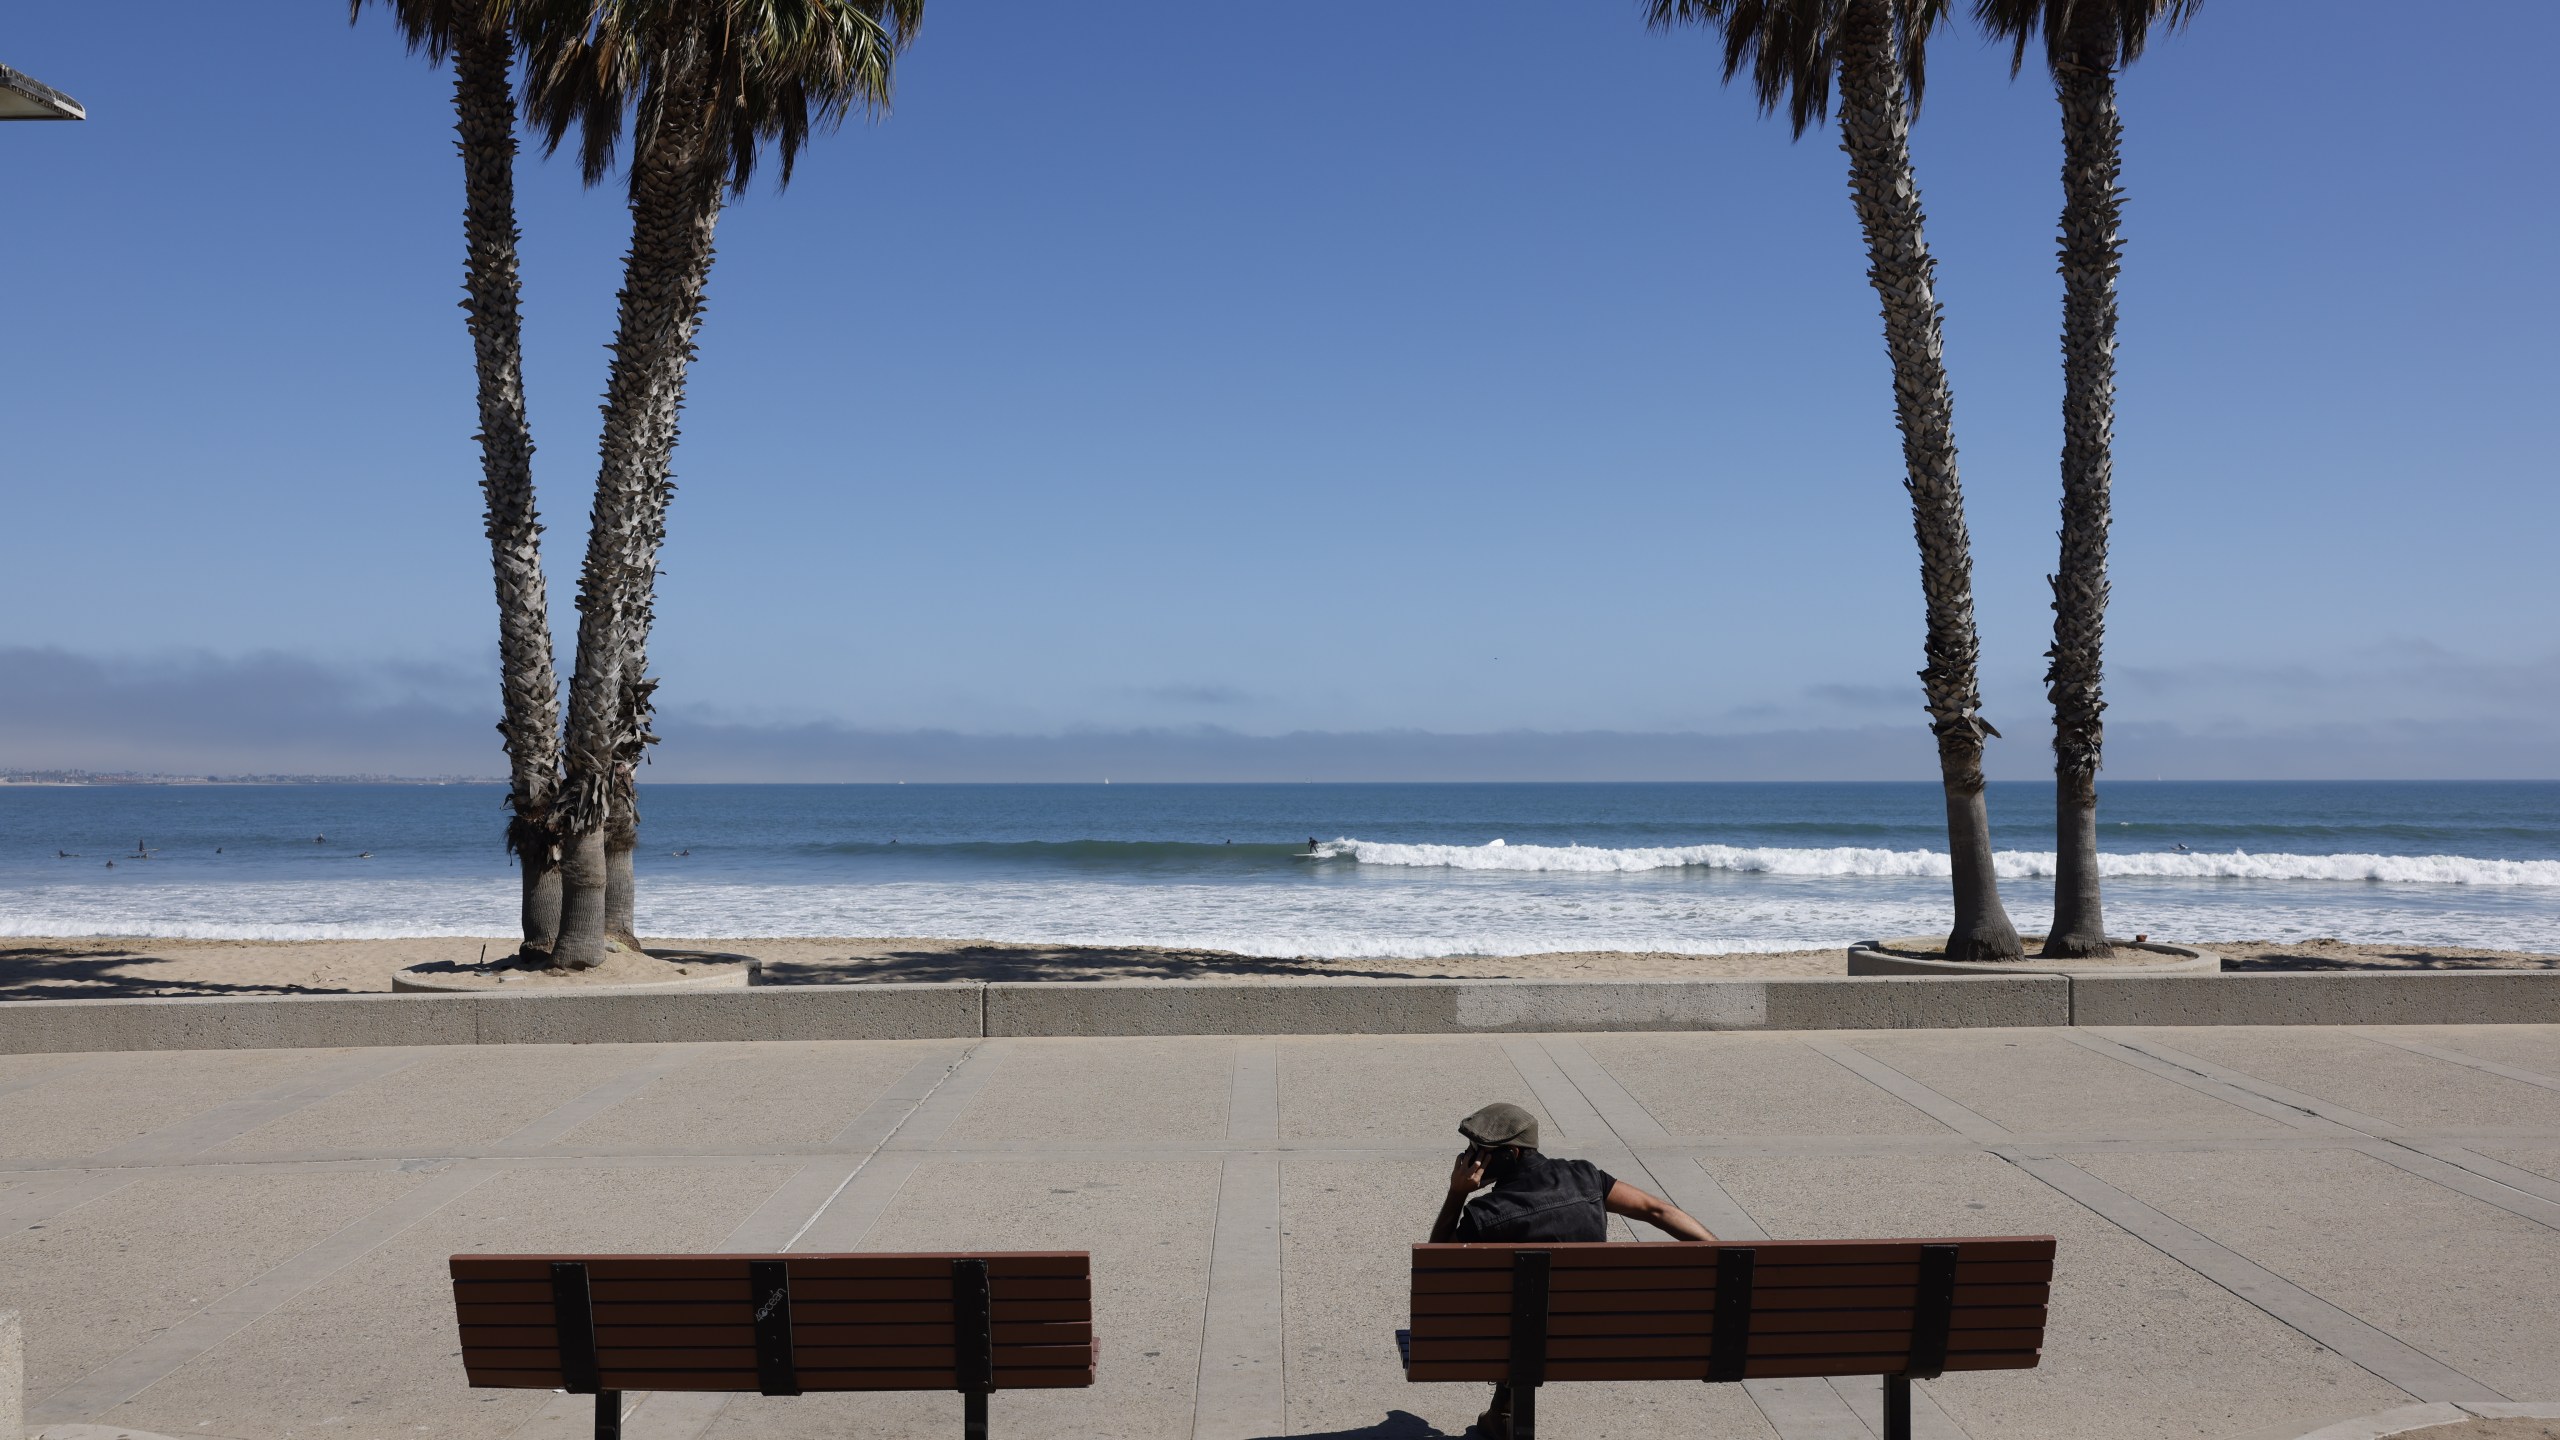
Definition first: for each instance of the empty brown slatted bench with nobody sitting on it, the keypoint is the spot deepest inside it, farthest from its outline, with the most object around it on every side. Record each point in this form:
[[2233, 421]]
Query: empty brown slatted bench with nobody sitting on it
[[777, 1323]]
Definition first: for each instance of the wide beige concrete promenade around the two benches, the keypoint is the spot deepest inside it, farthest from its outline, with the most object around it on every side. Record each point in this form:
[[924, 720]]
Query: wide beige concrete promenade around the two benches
[[2262, 1229]]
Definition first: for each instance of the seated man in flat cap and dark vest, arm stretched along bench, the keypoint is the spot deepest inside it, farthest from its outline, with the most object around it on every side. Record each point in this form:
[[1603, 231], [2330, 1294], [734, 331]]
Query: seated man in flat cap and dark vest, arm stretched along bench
[[1537, 1198]]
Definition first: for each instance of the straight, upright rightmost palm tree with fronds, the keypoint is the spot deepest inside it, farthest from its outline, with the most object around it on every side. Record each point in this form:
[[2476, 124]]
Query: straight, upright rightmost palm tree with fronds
[[2085, 45]]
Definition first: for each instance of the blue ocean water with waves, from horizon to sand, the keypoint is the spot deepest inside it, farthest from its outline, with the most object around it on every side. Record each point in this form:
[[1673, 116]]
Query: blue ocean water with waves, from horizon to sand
[[1396, 870]]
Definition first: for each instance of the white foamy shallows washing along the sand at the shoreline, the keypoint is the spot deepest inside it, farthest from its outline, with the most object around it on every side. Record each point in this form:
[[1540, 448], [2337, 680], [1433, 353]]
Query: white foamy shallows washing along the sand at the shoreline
[[1381, 913]]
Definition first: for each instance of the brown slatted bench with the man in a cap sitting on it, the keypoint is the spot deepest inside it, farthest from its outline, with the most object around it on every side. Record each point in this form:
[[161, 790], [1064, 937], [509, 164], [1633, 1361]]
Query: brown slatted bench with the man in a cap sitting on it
[[1670, 1311]]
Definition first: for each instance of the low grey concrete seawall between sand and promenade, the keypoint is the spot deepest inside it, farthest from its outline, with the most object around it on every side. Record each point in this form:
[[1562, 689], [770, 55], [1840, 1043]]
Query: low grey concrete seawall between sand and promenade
[[1279, 1008]]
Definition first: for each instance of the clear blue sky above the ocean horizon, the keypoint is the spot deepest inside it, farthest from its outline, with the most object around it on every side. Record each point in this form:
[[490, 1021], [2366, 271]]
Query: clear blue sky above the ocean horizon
[[1476, 368]]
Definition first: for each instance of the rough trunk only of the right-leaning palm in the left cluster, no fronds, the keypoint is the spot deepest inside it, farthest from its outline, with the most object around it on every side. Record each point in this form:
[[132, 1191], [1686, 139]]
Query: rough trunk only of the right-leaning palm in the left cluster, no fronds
[[675, 214]]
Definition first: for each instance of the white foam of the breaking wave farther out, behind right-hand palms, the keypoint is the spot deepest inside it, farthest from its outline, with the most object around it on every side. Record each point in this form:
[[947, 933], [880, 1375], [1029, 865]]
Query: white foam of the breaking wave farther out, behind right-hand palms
[[2011, 865]]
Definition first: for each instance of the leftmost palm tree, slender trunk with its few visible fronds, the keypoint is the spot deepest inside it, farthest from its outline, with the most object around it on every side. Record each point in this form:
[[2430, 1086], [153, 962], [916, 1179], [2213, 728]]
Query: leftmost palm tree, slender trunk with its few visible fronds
[[477, 37]]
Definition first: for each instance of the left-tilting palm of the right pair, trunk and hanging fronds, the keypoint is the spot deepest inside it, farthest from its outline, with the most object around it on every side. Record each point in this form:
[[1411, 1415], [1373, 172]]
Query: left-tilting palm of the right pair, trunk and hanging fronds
[[1878, 47]]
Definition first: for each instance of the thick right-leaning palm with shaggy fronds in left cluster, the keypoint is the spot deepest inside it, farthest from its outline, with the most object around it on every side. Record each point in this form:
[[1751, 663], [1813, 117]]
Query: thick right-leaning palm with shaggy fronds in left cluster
[[705, 88]]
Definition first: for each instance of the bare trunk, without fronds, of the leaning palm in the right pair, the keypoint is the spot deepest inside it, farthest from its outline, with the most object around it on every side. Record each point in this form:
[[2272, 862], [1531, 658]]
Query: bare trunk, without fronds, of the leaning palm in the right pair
[[1875, 132]]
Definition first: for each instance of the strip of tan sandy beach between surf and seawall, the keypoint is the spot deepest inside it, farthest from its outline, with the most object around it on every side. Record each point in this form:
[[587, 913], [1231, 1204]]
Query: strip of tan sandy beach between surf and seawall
[[134, 967]]
